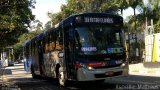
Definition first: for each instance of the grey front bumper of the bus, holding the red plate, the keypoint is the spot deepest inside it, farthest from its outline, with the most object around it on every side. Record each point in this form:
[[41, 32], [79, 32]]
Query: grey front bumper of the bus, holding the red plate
[[84, 74]]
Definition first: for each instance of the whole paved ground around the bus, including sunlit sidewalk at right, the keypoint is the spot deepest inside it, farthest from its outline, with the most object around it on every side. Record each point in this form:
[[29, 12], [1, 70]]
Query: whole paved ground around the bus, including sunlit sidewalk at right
[[141, 77]]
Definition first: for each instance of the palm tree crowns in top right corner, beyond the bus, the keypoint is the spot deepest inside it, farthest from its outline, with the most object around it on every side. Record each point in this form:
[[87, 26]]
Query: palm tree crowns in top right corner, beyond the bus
[[149, 11]]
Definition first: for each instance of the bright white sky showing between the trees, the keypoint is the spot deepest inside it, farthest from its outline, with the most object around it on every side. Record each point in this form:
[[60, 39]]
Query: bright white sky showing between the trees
[[44, 6]]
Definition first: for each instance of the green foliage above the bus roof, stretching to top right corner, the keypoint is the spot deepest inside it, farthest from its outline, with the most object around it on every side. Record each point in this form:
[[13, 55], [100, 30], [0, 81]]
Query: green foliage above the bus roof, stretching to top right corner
[[151, 11]]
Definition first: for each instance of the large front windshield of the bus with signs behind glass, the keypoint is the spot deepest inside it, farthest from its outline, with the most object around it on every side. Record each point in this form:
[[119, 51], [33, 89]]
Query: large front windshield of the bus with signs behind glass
[[98, 40]]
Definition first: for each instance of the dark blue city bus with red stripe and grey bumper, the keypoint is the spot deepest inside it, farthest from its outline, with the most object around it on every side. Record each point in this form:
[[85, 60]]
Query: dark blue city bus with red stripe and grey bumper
[[82, 47]]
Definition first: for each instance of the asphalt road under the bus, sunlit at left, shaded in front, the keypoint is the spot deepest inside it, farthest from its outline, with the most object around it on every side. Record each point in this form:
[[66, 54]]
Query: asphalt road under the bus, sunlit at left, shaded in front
[[17, 77]]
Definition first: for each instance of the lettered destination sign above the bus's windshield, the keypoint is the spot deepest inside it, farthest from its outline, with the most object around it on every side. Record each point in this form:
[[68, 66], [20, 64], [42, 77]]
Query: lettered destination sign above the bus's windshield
[[98, 20]]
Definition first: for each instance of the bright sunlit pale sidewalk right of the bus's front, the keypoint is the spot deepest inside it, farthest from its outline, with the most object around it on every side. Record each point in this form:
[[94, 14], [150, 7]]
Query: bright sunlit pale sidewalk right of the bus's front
[[145, 69]]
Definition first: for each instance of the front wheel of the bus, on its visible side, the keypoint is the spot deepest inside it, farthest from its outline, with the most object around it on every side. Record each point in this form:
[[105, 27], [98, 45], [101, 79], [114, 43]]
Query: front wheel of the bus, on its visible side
[[62, 78]]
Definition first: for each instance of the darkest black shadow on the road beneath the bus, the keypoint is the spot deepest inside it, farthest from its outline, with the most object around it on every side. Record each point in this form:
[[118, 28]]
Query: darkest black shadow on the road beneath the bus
[[51, 85]]
